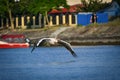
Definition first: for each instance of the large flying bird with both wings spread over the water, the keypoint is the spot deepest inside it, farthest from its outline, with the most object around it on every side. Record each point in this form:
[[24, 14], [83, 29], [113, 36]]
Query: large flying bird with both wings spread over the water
[[54, 42]]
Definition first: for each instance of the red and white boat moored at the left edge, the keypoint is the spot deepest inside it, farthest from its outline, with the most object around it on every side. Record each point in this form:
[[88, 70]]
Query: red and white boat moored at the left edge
[[13, 41]]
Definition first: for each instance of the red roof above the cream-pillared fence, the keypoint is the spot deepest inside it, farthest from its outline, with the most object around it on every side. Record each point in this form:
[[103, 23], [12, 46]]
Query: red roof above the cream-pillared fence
[[72, 9]]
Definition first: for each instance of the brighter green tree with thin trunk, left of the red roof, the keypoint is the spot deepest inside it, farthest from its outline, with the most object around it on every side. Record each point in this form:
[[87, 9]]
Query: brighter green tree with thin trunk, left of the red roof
[[44, 6]]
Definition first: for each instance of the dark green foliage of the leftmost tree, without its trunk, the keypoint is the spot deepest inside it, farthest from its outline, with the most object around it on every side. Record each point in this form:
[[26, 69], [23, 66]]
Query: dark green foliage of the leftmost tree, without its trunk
[[19, 7]]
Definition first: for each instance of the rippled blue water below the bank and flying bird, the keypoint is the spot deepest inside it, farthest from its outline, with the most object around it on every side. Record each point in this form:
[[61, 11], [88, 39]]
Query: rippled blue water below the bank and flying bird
[[56, 63]]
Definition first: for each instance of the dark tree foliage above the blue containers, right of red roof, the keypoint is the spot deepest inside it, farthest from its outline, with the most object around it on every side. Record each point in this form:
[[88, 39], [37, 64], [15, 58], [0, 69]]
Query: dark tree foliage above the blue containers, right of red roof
[[92, 5]]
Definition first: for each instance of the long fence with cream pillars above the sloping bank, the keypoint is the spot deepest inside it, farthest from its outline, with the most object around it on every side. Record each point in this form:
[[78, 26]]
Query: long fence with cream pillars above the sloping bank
[[27, 22]]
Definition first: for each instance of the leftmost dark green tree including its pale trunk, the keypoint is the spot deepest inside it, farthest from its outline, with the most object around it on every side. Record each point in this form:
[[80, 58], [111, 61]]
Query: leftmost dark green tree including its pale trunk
[[9, 8]]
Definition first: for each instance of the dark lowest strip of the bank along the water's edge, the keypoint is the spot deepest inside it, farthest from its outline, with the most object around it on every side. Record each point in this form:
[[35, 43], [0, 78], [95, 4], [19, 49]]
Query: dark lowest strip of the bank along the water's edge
[[91, 42]]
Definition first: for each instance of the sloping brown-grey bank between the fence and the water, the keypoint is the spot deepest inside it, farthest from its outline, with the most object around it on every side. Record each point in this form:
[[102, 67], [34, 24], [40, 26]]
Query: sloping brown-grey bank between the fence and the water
[[102, 35]]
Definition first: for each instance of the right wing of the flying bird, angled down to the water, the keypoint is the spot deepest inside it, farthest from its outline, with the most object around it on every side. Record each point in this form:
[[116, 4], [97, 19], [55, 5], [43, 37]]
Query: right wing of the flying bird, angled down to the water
[[67, 46]]
